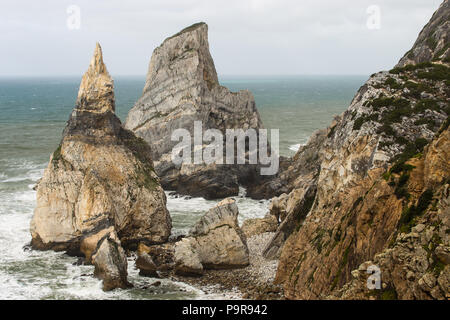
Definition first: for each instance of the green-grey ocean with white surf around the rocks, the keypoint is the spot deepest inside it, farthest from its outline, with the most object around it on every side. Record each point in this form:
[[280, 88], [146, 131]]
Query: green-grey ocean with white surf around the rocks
[[33, 113]]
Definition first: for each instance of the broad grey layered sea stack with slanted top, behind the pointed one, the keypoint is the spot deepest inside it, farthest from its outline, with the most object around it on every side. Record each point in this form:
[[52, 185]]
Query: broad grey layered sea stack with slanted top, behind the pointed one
[[182, 87]]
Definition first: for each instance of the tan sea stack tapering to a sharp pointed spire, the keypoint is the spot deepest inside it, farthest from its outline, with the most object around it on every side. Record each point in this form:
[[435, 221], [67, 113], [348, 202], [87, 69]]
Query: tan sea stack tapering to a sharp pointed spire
[[99, 181]]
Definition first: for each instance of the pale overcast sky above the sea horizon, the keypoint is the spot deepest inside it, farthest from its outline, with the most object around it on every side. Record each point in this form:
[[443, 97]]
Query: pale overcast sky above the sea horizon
[[247, 37]]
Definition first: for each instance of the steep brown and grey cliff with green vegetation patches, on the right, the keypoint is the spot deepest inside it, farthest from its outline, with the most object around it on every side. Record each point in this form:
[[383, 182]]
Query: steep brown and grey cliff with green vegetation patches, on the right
[[353, 189]]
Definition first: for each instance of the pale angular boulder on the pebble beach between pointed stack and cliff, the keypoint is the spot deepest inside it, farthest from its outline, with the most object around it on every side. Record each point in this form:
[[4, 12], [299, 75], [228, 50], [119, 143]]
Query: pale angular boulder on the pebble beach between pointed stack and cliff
[[215, 242]]
